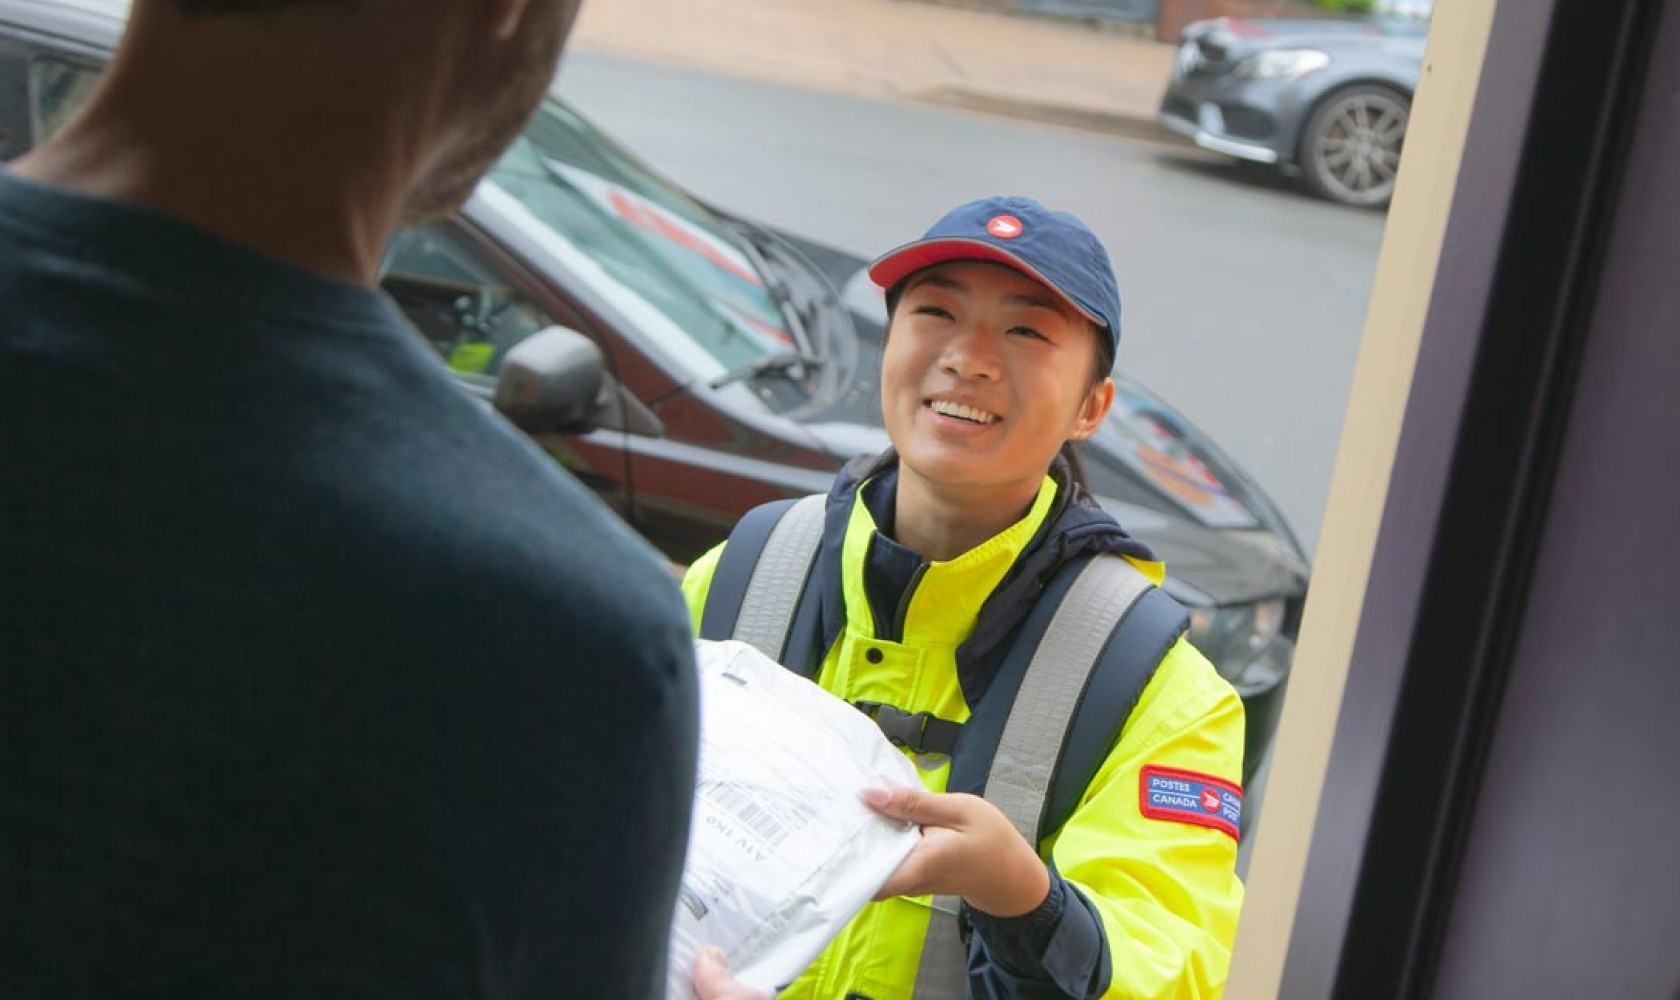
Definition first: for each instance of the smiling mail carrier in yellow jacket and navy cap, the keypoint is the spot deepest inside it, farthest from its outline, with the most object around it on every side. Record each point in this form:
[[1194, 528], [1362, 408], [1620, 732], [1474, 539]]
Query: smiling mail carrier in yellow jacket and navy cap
[[1004, 322]]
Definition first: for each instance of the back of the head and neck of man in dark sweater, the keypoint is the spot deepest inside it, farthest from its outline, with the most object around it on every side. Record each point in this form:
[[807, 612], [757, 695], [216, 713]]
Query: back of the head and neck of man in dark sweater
[[431, 92]]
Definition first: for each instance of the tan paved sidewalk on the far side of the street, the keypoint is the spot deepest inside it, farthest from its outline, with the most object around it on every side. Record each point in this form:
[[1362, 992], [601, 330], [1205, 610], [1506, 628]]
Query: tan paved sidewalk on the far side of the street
[[1053, 71]]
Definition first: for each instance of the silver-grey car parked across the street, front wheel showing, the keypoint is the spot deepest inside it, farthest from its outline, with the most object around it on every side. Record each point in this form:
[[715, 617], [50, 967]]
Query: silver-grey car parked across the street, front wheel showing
[[1325, 97]]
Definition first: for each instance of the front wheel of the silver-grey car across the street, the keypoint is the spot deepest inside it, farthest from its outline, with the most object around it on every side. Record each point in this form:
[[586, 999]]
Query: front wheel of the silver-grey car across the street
[[1350, 150]]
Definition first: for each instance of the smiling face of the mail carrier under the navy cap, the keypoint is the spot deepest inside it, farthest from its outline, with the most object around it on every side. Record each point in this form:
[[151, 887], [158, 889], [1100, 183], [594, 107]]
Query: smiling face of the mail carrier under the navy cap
[[985, 376]]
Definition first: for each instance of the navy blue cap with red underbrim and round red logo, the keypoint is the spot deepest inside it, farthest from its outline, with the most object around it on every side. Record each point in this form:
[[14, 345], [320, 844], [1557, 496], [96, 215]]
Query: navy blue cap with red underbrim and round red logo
[[1053, 248]]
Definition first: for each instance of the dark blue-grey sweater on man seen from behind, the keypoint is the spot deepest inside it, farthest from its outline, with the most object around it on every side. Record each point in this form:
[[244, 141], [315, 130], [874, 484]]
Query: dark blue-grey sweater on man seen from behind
[[315, 678]]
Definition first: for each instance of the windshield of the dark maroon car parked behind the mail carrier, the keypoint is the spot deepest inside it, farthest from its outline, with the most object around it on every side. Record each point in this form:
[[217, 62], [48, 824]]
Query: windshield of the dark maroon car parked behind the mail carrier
[[644, 245]]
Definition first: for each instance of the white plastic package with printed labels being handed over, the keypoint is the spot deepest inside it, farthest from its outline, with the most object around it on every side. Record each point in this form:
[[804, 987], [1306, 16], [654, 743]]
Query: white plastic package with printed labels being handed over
[[782, 851]]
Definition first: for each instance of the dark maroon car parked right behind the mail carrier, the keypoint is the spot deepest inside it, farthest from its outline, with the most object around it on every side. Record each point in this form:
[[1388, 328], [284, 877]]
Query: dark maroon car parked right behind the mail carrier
[[690, 366]]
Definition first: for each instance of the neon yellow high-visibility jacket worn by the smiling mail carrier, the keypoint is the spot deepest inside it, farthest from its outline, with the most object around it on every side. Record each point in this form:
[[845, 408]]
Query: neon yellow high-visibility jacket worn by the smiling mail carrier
[[1162, 885]]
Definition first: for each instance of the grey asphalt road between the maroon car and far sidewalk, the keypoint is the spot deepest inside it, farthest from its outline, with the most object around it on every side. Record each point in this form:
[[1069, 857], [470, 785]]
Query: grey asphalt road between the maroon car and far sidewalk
[[1242, 300]]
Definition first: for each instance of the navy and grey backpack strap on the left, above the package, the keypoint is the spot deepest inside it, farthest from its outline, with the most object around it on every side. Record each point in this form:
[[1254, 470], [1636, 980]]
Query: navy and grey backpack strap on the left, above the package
[[762, 576]]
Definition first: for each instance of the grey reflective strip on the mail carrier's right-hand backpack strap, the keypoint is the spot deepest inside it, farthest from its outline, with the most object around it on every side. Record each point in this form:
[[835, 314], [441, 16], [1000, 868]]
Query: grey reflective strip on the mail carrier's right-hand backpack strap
[[1039, 722]]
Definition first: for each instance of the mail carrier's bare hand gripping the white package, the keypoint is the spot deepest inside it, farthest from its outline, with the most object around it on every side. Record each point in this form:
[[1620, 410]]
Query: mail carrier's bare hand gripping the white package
[[969, 850]]
